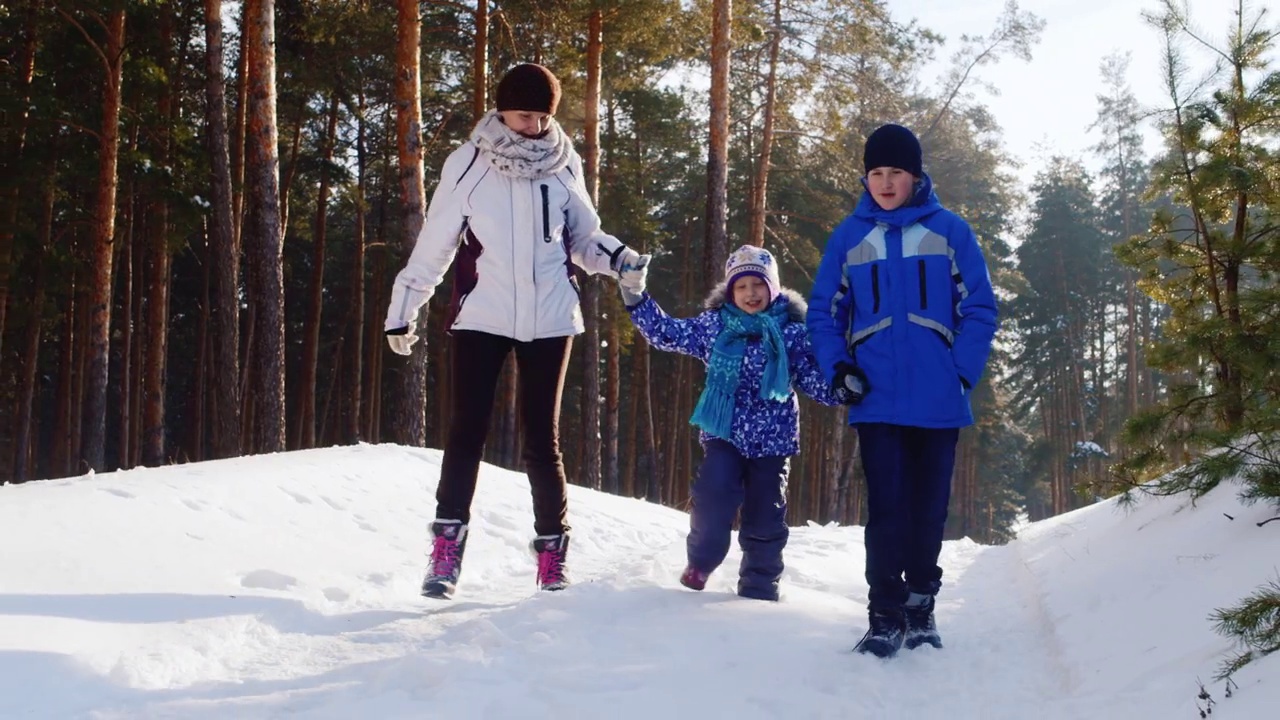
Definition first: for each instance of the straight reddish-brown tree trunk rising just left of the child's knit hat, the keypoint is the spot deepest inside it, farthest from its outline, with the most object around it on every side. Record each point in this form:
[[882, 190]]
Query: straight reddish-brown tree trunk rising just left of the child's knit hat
[[716, 247]]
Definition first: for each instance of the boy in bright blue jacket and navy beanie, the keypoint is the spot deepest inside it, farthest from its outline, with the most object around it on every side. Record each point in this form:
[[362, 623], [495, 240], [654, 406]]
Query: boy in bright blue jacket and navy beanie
[[902, 320]]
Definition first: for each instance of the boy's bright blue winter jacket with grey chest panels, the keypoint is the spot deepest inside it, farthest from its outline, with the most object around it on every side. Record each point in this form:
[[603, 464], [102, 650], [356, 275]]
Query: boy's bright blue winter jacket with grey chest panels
[[906, 295]]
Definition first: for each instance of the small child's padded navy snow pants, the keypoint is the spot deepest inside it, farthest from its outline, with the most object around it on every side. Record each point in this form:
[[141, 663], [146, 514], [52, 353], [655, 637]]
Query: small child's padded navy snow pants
[[726, 481]]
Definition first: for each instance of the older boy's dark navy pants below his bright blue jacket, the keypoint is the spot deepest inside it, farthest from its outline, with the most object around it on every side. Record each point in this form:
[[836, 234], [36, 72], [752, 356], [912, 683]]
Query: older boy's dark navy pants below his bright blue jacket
[[908, 489]]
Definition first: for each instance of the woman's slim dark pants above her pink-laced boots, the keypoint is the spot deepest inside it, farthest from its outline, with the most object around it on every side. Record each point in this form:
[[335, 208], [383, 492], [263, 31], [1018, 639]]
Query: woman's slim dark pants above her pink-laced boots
[[478, 359]]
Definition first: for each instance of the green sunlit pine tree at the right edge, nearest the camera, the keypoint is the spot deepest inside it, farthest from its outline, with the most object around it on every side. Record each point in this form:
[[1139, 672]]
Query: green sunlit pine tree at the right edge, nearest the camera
[[1213, 258]]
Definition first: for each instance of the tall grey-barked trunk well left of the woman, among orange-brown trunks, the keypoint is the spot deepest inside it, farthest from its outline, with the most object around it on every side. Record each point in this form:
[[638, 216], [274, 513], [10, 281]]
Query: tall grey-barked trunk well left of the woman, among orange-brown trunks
[[223, 245]]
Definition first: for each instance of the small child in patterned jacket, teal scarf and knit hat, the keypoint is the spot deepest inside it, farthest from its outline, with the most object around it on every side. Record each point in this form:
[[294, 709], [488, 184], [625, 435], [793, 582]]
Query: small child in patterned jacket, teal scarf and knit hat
[[755, 344]]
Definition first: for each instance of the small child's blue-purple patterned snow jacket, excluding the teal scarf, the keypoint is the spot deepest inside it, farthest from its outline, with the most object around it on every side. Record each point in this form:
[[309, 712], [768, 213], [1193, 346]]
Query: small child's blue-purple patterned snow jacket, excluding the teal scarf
[[762, 429]]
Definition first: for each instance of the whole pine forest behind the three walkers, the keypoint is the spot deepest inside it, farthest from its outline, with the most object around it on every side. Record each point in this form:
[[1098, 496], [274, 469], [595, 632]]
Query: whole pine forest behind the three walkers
[[203, 206]]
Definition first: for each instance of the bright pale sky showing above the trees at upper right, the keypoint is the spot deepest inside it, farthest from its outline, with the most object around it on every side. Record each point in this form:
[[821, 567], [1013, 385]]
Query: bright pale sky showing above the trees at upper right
[[1048, 106]]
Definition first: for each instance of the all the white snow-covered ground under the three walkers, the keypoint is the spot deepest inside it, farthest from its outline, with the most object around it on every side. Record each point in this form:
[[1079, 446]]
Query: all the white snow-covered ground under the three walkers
[[286, 586]]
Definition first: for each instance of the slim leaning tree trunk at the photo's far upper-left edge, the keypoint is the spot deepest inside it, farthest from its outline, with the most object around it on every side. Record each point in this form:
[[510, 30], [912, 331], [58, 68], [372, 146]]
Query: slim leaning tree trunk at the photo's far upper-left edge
[[13, 153]]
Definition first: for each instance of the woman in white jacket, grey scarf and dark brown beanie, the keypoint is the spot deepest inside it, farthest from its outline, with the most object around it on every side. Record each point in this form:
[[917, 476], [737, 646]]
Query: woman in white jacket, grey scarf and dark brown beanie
[[513, 211]]
